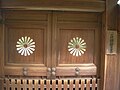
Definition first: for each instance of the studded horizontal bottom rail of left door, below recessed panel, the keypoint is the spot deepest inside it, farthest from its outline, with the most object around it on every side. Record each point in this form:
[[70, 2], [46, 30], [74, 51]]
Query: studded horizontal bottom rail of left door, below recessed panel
[[19, 71]]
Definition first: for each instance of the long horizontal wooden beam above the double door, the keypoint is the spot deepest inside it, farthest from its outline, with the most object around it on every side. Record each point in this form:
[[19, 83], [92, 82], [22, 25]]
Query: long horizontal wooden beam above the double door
[[66, 5]]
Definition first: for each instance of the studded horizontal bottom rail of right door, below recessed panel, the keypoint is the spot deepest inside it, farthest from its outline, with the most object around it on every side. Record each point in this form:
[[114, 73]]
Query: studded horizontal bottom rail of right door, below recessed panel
[[84, 70]]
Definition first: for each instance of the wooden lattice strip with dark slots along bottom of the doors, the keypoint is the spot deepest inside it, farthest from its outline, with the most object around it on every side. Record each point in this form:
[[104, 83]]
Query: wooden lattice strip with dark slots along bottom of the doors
[[46, 84]]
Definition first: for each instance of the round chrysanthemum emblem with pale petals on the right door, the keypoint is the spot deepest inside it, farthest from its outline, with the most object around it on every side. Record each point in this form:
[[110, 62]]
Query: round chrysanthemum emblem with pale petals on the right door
[[77, 46]]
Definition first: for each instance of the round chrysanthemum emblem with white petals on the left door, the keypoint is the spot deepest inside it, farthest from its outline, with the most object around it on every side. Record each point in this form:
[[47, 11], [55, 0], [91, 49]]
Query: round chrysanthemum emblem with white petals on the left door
[[25, 46]]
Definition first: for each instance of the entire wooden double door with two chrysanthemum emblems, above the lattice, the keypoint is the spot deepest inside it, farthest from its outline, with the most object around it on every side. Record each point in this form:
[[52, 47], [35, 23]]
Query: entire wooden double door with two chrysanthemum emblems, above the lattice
[[51, 44]]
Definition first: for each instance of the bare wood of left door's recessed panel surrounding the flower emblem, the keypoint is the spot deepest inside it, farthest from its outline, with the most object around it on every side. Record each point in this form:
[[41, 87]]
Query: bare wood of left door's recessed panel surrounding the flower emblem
[[13, 35]]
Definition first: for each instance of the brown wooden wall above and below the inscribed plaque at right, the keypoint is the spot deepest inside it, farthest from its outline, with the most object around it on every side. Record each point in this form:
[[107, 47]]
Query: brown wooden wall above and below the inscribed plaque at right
[[111, 61]]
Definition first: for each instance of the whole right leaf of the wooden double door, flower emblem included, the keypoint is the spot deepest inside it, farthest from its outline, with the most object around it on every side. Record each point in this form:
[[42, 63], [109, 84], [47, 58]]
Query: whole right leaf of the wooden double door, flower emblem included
[[67, 31]]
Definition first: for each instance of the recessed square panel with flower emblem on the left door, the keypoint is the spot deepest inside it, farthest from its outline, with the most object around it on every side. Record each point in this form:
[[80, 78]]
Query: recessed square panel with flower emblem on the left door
[[25, 46]]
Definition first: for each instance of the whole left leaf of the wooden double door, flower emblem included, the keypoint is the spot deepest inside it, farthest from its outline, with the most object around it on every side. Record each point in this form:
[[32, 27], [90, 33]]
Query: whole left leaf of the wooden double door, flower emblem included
[[26, 46]]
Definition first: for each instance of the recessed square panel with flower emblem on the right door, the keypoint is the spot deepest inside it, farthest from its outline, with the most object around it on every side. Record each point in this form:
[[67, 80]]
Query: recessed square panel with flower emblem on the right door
[[76, 46]]
